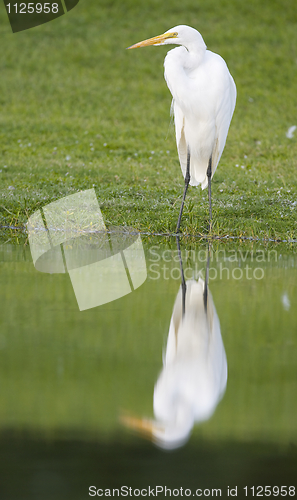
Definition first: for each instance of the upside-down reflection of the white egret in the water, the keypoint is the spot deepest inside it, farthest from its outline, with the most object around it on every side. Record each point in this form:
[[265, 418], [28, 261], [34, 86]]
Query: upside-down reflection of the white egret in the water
[[194, 375]]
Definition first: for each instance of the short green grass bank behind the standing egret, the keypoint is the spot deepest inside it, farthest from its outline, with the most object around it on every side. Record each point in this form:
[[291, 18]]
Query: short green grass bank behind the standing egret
[[78, 110]]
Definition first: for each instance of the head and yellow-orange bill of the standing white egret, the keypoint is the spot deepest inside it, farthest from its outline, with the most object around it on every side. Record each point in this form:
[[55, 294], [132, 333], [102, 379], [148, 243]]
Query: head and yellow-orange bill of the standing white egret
[[178, 35]]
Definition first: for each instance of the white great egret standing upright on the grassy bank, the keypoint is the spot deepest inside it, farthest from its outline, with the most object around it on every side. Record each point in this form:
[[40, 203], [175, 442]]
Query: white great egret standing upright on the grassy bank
[[204, 95]]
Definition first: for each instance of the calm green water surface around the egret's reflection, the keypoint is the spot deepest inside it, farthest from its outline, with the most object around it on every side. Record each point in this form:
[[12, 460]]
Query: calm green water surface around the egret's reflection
[[67, 377]]
